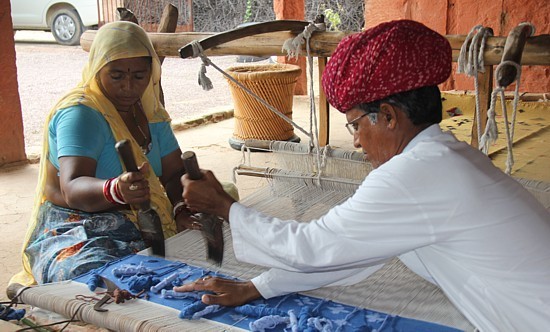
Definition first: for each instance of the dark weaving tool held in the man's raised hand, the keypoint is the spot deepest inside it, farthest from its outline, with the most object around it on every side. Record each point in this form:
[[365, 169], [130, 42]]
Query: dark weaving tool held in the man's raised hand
[[211, 226]]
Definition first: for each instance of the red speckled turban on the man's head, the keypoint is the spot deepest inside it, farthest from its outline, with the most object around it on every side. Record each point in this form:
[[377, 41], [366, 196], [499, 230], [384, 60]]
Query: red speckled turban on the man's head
[[392, 57]]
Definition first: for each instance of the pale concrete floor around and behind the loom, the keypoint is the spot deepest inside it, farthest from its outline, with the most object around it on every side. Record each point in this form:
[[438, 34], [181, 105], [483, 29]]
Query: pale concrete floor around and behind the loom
[[209, 142]]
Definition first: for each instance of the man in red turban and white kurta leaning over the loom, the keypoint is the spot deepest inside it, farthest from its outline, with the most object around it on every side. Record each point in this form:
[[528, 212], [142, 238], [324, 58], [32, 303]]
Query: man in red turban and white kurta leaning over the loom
[[436, 203]]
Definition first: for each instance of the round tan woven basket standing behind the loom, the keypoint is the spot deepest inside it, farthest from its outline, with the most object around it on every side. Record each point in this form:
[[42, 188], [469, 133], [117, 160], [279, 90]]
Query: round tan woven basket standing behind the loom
[[275, 84]]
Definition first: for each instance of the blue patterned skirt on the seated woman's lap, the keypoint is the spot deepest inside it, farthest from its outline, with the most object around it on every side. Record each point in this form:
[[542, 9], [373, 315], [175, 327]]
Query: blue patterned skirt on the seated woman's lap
[[67, 243]]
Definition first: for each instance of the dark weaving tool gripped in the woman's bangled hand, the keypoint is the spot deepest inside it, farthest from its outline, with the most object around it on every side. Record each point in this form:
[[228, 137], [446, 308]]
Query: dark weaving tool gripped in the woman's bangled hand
[[149, 222]]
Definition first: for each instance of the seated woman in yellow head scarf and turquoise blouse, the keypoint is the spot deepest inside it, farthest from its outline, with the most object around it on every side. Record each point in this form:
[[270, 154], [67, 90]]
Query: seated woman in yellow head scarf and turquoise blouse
[[82, 218]]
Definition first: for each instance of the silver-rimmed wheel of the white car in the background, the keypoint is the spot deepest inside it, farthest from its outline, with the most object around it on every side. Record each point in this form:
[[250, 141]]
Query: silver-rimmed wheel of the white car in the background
[[66, 27]]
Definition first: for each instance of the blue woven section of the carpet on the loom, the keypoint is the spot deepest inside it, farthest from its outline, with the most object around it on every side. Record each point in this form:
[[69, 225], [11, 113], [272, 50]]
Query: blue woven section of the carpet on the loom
[[342, 317]]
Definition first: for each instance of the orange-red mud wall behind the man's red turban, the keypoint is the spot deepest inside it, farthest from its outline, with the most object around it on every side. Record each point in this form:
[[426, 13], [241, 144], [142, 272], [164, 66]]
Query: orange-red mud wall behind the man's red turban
[[458, 17]]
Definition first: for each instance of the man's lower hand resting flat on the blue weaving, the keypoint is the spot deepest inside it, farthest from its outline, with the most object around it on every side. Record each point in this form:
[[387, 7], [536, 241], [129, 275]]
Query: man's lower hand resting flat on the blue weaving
[[226, 292]]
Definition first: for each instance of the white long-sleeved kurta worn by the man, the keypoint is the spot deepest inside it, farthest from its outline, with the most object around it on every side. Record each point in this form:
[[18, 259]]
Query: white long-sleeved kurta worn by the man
[[445, 210]]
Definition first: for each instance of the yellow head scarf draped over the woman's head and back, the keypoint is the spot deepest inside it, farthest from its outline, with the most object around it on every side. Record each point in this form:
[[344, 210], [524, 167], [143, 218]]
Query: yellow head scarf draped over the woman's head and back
[[114, 41]]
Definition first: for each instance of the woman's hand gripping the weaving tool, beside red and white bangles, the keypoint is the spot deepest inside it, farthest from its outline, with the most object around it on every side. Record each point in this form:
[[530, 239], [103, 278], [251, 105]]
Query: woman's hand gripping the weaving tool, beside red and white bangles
[[133, 186]]
